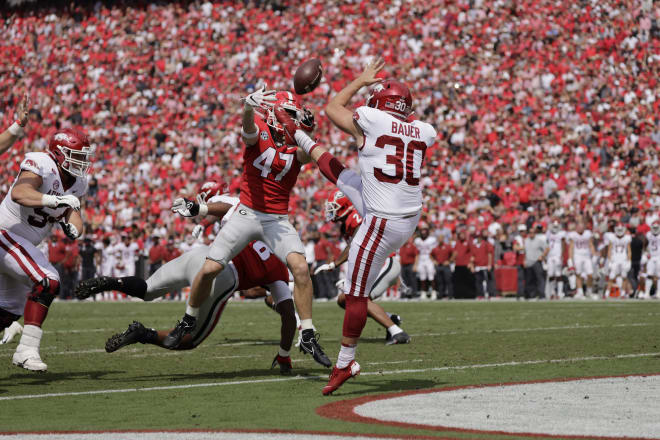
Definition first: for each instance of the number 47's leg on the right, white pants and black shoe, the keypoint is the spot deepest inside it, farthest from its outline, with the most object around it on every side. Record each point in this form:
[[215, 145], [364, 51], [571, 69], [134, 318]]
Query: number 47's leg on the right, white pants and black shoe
[[281, 237]]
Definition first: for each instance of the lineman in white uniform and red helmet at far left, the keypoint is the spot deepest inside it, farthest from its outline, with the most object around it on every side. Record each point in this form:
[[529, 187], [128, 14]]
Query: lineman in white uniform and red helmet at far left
[[46, 191]]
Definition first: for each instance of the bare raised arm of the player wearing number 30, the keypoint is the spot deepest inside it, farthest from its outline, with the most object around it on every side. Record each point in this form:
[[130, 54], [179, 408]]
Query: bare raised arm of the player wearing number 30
[[337, 109]]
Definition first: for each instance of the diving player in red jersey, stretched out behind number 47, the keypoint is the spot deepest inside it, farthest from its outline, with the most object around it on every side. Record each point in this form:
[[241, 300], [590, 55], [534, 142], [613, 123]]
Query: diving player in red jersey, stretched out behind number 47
[[254, 266]]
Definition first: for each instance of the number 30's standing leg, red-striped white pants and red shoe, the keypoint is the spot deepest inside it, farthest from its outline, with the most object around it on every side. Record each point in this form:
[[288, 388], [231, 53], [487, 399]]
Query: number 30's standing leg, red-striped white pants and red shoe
[[374, 241]]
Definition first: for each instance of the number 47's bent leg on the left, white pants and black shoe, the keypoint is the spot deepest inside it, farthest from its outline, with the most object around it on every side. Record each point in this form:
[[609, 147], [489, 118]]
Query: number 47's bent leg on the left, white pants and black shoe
[[239, 230]]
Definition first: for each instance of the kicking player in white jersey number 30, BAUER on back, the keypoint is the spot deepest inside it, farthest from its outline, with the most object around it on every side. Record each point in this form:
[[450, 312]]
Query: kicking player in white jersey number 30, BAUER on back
[[390, 154]]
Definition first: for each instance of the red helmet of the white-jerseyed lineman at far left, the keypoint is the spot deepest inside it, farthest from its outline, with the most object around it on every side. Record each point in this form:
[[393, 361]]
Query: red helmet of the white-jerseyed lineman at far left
[[71, 150]]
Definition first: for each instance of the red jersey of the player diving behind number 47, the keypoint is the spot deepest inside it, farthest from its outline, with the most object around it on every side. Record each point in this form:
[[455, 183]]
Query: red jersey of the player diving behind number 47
[[257, 266]]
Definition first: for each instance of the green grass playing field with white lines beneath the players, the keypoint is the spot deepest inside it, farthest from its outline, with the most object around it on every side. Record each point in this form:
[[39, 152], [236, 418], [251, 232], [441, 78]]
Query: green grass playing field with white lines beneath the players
[[453, 344]]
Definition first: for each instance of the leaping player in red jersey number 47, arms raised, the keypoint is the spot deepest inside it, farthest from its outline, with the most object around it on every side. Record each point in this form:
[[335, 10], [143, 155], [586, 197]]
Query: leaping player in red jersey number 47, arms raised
[[270, 169]]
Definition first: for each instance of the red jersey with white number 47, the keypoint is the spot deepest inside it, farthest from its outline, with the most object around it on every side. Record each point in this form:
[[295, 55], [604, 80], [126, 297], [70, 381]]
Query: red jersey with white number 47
[[269, 173]]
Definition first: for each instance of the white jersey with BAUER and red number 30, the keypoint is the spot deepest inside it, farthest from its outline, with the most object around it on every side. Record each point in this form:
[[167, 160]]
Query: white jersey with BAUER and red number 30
[[391, 161]]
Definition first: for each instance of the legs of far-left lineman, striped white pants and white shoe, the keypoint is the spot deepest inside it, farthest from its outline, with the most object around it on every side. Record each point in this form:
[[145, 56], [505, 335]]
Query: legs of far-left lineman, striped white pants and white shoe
[[27, 269]]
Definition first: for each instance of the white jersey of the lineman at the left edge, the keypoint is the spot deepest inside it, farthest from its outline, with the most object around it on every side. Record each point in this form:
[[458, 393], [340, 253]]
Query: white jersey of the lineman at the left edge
[[34, 224]]
